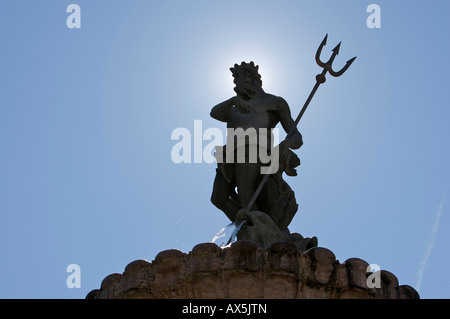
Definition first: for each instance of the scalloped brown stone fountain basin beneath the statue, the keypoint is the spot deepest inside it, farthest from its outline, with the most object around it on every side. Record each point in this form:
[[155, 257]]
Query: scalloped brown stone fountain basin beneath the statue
[[246, 271]]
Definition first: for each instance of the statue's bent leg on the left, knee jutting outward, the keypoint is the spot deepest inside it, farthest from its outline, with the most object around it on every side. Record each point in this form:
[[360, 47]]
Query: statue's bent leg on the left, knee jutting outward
[[221, 197]]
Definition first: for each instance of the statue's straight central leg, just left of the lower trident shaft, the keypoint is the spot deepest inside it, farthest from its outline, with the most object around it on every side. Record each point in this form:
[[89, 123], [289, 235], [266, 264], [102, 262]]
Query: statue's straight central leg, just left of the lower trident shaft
[[247, 177]]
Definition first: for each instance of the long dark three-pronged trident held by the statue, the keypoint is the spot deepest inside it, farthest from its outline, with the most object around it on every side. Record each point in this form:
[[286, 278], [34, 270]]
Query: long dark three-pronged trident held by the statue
[[320, 78]]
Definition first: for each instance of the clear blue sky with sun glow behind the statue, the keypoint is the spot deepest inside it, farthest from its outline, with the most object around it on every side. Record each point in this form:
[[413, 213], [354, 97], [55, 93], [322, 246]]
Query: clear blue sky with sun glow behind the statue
[[86, 115]]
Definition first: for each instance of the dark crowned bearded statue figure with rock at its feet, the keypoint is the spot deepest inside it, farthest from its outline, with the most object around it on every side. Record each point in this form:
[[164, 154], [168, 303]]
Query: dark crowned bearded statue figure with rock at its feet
[[274, 208]]
